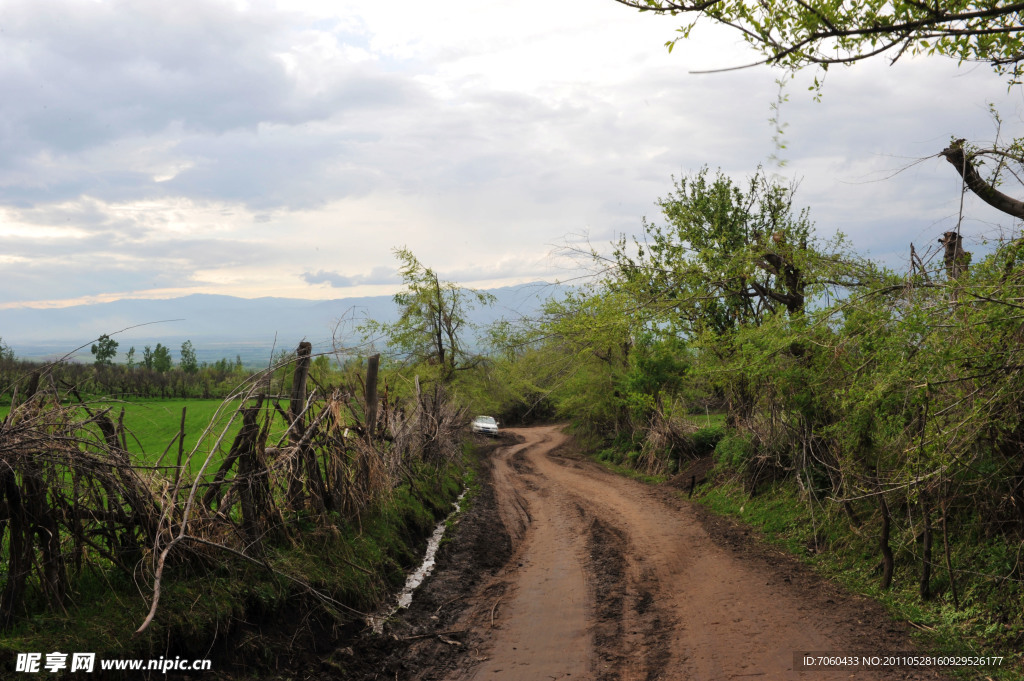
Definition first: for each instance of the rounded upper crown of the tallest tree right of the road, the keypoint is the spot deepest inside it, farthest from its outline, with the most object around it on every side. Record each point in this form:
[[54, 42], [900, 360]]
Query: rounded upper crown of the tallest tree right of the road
[[728, 258]]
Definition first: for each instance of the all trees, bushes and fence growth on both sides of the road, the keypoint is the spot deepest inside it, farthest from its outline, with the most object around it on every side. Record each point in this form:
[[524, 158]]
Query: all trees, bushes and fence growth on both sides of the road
[[869, 420]]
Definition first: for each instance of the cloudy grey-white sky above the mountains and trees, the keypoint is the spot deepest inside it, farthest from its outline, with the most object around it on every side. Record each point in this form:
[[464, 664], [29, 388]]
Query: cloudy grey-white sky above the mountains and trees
[[254, 149]]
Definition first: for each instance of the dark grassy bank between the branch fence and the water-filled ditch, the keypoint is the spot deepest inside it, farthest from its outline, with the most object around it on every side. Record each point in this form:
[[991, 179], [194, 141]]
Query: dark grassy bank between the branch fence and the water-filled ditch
[[229, 610]]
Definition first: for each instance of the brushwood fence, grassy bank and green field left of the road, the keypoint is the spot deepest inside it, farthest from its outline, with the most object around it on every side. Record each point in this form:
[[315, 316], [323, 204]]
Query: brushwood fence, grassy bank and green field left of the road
[[139, 528]]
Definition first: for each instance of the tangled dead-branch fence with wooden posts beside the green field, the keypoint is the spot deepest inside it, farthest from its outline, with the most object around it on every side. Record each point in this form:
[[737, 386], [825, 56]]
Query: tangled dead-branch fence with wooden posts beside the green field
[[72, 498]]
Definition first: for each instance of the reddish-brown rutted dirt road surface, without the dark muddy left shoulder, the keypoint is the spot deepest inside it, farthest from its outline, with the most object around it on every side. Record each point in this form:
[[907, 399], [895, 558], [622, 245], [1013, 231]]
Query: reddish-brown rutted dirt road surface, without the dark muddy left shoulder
[[612, 580]]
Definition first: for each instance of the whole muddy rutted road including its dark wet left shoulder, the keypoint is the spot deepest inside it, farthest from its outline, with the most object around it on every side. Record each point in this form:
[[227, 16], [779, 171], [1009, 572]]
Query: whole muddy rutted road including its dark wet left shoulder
[[566, 571]]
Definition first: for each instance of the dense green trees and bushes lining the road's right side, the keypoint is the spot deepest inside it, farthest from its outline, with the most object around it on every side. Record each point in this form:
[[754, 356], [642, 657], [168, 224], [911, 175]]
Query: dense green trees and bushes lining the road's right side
[[852, 412]]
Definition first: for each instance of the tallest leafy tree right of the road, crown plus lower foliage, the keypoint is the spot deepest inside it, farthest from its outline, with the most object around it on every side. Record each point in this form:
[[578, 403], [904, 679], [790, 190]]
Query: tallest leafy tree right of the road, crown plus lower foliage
[[730, 260]]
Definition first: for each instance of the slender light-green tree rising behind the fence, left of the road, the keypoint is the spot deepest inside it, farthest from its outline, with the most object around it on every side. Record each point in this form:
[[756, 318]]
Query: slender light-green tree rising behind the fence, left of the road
[[434, 320]]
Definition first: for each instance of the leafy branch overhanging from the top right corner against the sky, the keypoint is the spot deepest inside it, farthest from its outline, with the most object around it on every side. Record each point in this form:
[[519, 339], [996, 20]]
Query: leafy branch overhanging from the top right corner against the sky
[[796, 34]]
